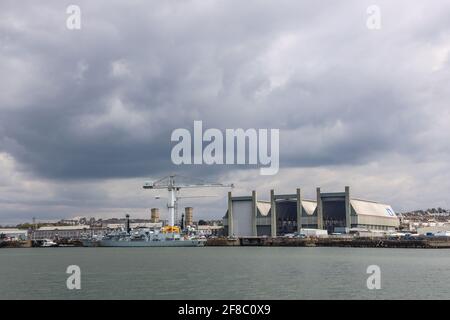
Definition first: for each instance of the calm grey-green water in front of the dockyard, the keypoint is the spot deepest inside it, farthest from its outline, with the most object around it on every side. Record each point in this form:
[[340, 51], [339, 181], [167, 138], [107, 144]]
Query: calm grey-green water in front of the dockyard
[[224, 273]]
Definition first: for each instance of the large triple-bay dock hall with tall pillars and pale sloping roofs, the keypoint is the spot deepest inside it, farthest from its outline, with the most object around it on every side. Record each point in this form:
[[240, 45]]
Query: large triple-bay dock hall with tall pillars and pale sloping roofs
[[288, 213]]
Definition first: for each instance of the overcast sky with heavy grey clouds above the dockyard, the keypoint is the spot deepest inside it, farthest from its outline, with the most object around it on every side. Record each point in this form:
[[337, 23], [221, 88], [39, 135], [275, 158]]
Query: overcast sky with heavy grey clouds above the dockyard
[[86, 115]]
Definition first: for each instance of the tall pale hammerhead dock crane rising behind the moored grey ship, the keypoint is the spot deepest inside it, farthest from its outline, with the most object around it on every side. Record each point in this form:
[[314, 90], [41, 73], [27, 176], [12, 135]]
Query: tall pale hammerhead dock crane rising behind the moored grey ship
[[174, 183]]
